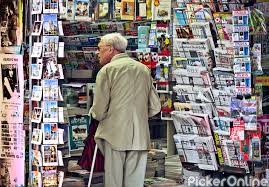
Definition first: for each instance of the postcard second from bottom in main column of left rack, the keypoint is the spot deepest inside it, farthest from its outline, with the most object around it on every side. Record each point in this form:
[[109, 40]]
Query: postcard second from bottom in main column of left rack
[[49, 155]]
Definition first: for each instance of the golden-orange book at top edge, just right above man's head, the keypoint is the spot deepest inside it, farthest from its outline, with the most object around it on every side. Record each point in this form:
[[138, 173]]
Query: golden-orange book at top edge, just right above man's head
[[127, 10]]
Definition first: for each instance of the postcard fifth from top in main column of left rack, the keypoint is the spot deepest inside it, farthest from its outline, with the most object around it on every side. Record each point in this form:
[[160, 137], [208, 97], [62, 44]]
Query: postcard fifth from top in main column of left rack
[[50, 89]]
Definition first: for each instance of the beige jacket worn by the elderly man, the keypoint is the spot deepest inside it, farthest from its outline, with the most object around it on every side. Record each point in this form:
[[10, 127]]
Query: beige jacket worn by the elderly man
[[124, 100]]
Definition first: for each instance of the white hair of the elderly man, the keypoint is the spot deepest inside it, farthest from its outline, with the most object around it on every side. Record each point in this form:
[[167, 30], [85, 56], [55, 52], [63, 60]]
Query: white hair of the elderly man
[[116, 40]]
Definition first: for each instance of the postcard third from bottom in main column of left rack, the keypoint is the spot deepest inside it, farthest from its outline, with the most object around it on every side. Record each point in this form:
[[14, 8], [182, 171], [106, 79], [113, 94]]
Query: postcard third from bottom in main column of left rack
[[50, 133]]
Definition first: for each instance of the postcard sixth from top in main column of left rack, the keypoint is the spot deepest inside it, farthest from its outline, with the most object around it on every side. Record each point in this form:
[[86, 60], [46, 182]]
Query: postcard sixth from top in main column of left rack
[[50, 111]]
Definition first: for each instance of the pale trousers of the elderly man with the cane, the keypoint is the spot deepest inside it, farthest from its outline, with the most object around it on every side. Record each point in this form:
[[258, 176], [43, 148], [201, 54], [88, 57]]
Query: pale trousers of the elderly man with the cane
[[123, 168]]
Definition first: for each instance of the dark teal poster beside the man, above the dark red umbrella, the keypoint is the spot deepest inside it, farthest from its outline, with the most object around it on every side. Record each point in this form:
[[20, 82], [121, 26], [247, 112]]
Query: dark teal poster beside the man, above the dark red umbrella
[[78, 131]]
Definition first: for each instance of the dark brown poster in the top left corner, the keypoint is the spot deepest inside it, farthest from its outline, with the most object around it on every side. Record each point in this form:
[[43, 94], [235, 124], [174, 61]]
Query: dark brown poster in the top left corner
[[11, 26]]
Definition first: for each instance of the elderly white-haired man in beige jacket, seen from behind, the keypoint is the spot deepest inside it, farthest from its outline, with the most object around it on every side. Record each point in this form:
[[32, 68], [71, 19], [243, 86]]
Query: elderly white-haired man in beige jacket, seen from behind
[[124, 100]]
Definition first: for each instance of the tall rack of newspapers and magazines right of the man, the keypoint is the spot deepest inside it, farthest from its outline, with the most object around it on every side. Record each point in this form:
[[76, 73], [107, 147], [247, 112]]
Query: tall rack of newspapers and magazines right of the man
[[199, 33]]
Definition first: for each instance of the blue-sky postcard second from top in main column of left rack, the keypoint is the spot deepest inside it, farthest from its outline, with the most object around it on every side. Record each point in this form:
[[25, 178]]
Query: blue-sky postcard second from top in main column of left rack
[[50, 24]]
